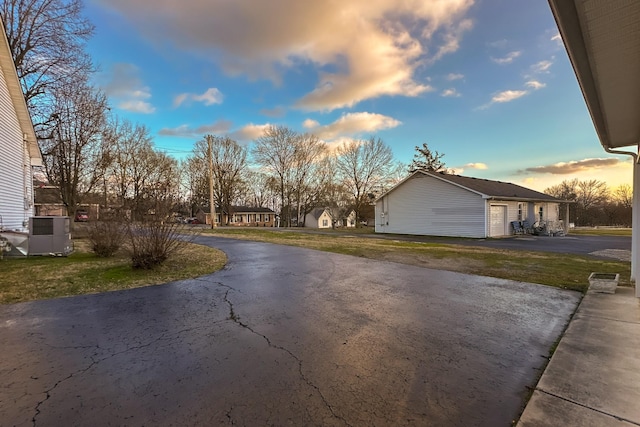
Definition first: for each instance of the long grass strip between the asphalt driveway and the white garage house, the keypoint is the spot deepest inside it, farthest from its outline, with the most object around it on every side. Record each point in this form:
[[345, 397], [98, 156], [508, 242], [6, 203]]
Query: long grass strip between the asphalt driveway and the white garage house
[[553, 269]]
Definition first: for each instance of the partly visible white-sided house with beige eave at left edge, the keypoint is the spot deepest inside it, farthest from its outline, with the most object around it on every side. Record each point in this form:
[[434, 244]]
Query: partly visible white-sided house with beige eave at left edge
[[18, 147]]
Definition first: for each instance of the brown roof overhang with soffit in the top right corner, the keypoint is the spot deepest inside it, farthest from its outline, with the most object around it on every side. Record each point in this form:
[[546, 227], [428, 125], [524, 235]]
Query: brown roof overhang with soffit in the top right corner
[[602, 38]]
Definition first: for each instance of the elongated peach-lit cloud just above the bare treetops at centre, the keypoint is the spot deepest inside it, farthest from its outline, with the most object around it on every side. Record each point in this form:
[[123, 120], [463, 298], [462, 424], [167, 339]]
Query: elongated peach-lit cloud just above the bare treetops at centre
[[354, 124]]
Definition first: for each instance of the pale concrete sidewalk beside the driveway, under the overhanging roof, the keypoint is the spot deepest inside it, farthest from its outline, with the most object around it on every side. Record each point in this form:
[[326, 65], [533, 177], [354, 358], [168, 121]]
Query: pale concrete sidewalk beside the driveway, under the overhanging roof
[[593, 378]]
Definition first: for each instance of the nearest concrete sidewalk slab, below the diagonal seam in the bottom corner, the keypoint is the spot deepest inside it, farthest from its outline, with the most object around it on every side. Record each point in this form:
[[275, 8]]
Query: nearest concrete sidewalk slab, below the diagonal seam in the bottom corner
[[545, 410]]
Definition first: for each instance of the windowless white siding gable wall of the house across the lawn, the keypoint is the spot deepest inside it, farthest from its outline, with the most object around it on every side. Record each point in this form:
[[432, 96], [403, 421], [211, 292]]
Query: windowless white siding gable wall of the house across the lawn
[[424, 205]]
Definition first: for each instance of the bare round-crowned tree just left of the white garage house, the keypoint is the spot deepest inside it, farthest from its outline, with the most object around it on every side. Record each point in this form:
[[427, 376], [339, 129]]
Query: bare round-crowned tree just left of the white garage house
[[363, 165]]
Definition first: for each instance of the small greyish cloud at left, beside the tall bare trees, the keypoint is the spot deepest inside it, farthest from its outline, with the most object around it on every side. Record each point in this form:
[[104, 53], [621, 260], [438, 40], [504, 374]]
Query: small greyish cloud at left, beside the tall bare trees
[[124, 85]]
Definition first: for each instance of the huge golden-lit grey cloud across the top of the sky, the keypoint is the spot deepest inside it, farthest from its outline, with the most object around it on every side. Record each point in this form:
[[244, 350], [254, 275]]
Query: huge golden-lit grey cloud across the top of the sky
[[362, 50]]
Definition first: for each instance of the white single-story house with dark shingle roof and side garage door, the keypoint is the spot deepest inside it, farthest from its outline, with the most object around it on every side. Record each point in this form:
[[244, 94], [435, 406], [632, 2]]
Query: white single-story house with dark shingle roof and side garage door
[[439, 204]]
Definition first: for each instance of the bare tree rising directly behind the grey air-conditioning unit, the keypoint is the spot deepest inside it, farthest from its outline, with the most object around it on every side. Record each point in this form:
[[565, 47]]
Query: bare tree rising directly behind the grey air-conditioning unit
[[72, 150]]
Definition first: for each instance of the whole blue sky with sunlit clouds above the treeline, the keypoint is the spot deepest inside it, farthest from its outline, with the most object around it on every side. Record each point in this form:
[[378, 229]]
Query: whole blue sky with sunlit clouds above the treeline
[[487, 83]]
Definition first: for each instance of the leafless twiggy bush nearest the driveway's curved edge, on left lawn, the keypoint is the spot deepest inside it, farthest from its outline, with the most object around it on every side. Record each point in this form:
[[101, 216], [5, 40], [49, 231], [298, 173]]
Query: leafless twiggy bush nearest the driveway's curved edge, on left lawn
[[152, 243]]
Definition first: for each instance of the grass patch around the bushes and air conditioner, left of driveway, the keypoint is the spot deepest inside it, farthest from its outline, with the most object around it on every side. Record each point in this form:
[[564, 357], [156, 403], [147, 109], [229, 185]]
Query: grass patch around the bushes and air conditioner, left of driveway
[[26, 279]]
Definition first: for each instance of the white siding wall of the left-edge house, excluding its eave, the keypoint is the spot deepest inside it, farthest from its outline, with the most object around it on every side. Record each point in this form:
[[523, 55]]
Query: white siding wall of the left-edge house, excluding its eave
[[15, 172]]
